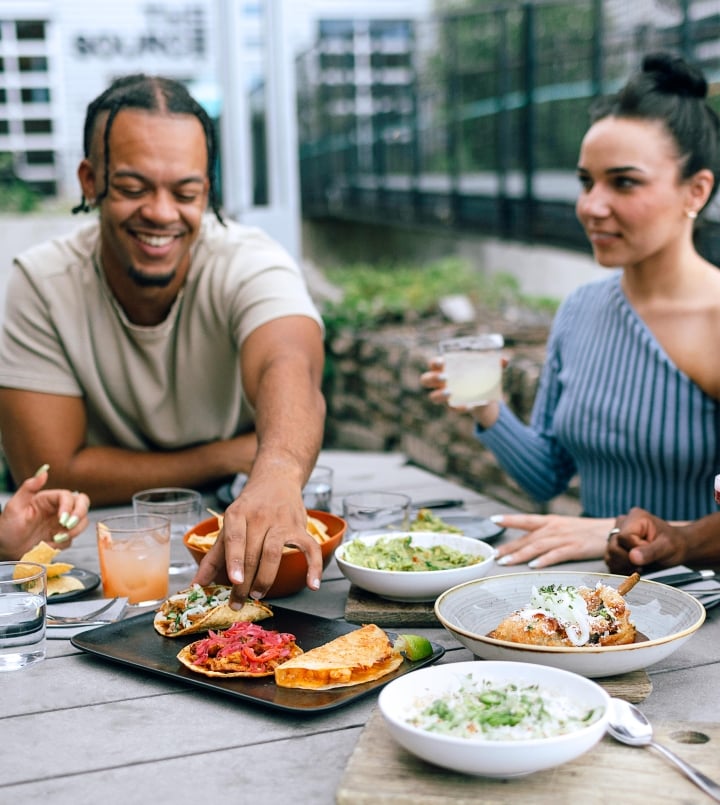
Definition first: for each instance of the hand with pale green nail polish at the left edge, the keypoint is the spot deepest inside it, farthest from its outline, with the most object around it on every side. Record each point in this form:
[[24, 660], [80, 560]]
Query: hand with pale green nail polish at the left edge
[[34, 514]]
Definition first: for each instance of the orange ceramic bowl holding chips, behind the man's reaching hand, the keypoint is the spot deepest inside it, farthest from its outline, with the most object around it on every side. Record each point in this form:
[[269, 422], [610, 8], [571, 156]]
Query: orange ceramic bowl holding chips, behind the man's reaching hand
[[293, 565]]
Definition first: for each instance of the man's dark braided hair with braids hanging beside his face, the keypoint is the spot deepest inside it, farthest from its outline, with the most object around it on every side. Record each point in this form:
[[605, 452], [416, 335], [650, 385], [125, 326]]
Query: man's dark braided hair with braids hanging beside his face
[[153, 94]]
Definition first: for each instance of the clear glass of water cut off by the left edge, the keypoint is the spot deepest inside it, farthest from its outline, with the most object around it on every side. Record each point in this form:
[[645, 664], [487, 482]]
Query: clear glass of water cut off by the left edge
[[23, 603]]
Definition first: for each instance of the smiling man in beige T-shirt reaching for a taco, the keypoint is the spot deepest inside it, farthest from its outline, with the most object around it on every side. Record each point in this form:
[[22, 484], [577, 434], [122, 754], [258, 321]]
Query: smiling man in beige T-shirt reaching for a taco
[[163, 346]]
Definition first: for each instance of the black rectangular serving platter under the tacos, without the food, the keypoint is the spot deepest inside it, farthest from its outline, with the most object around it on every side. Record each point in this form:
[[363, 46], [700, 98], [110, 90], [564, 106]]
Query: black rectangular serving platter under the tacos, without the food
[[135, 643]]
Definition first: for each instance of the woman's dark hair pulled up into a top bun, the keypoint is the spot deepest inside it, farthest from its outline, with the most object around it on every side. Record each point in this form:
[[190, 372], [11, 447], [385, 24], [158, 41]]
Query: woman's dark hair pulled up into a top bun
[[673, 92]]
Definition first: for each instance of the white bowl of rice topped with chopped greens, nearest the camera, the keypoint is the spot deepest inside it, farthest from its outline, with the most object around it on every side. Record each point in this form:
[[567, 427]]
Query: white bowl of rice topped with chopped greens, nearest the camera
[[495, 719]]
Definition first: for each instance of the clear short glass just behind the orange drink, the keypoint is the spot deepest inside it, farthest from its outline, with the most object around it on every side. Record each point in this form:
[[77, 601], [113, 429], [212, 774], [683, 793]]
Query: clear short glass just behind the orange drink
[[184, 509]]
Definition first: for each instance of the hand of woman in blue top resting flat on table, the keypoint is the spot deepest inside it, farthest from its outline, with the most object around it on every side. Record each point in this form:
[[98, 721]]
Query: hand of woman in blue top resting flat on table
[[553, 538]]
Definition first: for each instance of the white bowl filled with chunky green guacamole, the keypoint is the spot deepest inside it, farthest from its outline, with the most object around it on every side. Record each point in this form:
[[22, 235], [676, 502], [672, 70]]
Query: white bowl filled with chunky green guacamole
[[413, 565]]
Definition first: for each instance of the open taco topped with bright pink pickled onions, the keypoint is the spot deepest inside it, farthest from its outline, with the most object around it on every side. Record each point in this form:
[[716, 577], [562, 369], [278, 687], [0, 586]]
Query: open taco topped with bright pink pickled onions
[[245, 649]]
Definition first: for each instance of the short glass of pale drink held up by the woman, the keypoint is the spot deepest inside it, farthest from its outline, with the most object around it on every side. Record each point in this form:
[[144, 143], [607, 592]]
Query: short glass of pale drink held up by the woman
[[473, 369]]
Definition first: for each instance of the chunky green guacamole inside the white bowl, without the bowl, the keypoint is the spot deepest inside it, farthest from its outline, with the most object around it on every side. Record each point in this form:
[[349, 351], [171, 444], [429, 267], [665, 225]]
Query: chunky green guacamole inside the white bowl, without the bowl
[[399, 553]]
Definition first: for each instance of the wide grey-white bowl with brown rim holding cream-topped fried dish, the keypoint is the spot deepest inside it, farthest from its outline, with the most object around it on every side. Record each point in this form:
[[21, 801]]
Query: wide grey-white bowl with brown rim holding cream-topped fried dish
[[593, 624]]
